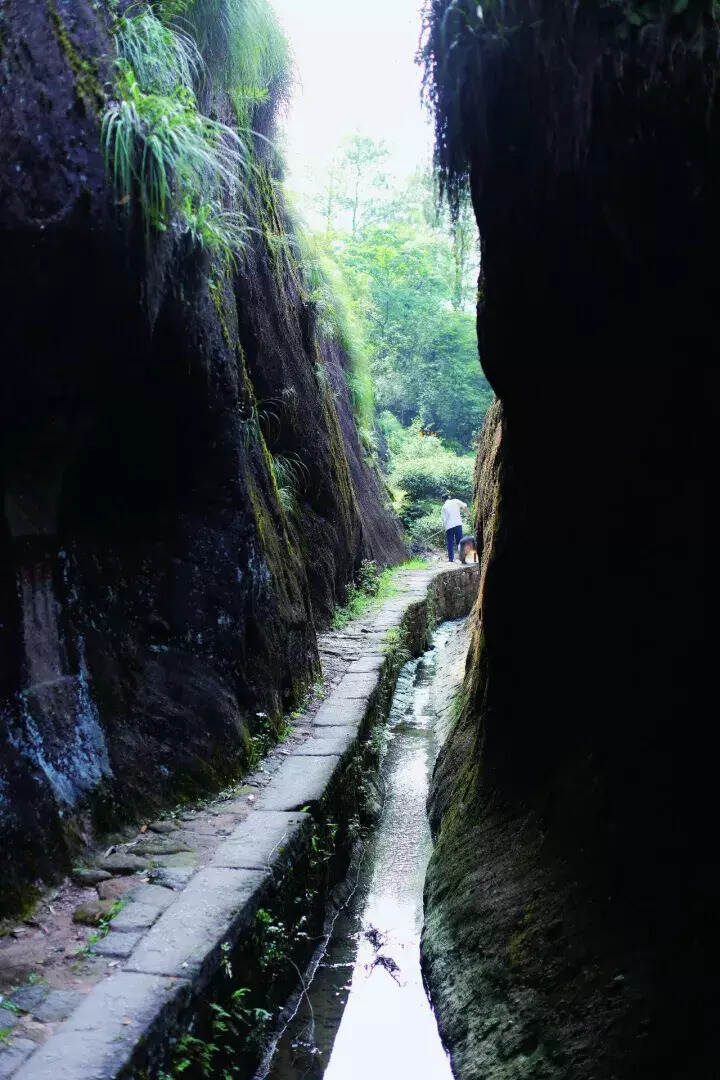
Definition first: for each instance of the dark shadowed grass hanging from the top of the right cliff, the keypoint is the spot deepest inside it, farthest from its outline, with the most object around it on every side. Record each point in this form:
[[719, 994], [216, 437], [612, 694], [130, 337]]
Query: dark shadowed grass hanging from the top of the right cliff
[[466, 49]]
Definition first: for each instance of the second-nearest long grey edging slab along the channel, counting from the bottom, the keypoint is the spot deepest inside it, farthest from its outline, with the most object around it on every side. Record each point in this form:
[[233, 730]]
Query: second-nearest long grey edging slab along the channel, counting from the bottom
[[186, 940]]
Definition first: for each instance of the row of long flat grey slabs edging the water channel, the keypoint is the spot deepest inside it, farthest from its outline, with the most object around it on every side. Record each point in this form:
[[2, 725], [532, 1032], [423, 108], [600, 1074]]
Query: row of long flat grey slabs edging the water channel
[[173, 949]]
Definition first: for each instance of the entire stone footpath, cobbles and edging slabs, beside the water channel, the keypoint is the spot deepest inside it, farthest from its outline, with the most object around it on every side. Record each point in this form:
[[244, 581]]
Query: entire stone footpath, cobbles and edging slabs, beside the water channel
[[200, 879]]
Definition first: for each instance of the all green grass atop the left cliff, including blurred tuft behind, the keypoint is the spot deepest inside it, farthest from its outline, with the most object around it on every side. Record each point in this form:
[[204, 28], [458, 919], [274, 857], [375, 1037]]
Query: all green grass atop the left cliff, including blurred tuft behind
[[169, 159]]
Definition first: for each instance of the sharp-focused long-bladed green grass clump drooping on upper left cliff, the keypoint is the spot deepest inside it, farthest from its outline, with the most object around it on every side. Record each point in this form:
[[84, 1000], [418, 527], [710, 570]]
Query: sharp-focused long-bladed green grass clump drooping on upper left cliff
[[161, 152]]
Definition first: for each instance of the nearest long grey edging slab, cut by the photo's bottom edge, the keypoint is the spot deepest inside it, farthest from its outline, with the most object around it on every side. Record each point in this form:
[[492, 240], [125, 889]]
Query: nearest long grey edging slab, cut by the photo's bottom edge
[[99, 1037]]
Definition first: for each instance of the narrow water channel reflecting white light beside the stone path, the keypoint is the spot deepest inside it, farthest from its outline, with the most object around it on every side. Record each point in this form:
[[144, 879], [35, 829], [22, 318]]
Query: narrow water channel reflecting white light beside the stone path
[[365, 1016]]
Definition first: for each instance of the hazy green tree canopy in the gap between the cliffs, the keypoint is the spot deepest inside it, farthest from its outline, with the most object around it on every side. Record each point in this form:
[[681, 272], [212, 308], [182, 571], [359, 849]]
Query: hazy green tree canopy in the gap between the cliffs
[[411, 274]]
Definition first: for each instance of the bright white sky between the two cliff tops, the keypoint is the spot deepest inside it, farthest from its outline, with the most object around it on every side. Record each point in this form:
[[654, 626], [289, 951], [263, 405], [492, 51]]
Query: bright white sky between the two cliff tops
[[356, 71]]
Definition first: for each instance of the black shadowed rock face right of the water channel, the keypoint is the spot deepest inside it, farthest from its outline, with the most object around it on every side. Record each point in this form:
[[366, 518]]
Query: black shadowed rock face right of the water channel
[[574, 883]]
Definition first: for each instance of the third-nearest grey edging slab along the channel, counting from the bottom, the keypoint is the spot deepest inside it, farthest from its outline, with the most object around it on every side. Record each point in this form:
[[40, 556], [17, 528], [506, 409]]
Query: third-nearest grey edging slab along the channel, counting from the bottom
[[266, 841]]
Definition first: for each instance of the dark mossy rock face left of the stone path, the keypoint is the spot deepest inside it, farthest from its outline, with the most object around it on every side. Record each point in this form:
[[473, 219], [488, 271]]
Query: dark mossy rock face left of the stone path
[[156, 597]]
